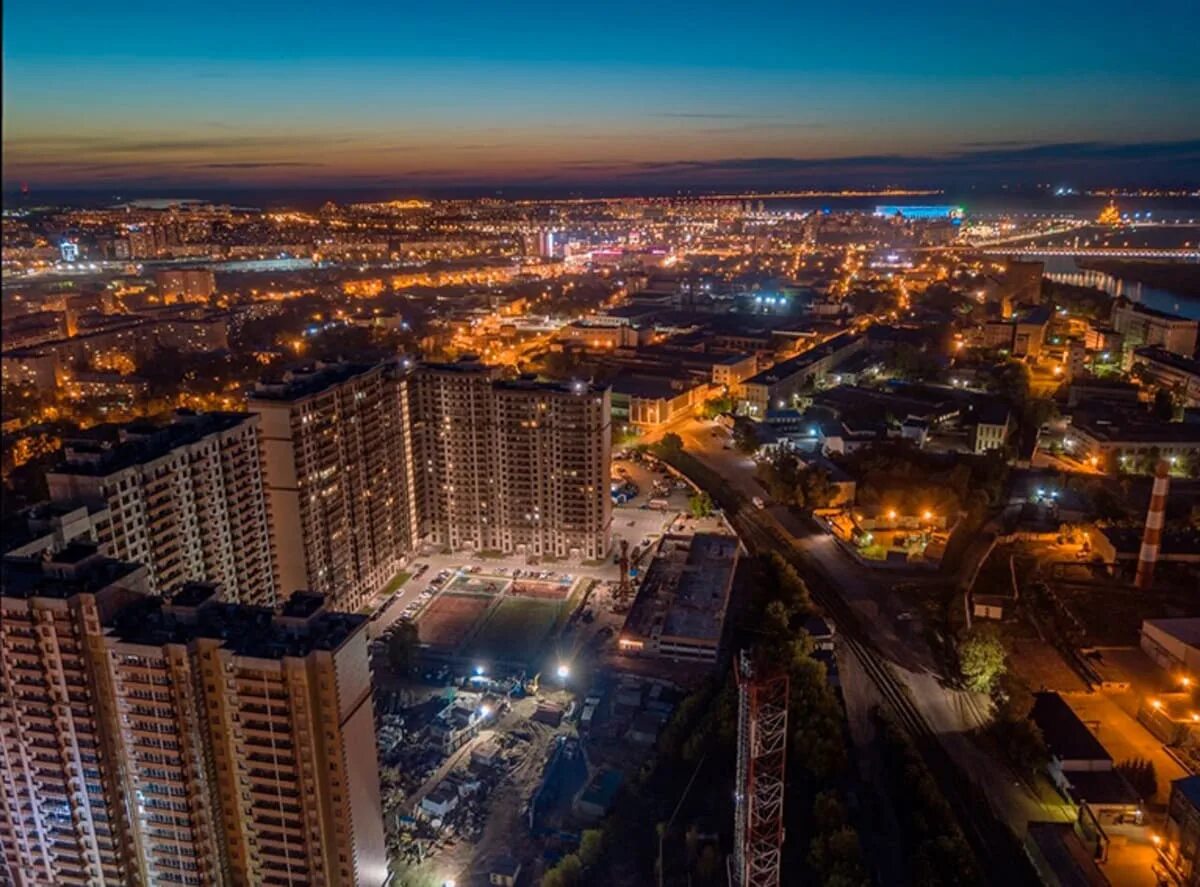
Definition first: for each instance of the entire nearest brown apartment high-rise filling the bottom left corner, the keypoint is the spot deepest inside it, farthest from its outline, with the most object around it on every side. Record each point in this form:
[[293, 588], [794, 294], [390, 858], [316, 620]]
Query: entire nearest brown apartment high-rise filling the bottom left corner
[[183, 742]]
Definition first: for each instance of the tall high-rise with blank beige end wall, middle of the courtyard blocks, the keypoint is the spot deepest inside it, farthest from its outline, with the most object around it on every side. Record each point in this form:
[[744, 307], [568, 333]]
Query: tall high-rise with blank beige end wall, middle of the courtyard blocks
[[337, 457]]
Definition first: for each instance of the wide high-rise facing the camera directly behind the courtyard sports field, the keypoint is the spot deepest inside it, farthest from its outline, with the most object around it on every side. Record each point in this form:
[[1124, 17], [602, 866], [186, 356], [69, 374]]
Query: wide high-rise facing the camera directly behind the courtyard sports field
[[515, 466]]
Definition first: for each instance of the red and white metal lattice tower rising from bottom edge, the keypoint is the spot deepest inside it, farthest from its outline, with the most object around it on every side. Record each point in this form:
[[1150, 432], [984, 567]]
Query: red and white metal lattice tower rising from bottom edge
[[763, 757]]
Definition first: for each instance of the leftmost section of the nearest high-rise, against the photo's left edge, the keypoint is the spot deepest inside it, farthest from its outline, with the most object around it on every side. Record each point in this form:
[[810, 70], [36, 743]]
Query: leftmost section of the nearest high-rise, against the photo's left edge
[[62, 799]]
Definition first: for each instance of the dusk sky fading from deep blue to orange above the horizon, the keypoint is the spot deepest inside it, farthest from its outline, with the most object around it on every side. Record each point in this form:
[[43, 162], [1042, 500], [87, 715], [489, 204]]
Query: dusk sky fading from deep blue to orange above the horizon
[[701, 95]]
